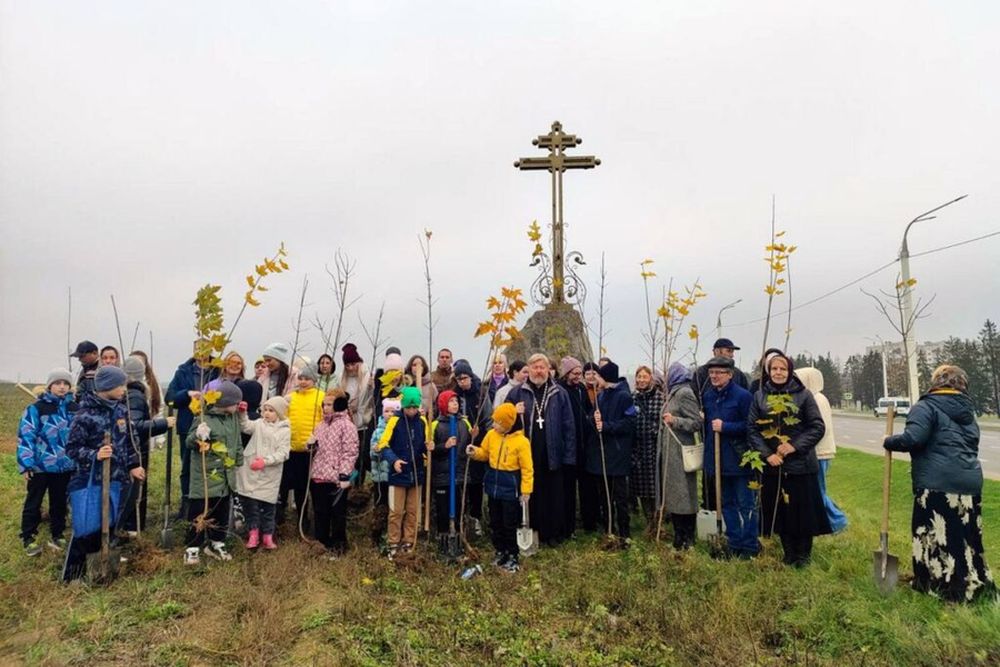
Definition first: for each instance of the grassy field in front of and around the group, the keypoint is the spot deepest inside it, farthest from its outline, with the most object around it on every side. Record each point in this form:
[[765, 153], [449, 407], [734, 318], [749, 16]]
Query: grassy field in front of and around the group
[[576, 605]]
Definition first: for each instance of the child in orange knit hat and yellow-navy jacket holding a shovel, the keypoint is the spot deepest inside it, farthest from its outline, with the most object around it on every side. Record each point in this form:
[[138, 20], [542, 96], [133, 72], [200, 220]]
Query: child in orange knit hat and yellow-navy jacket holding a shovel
[[509, 481]]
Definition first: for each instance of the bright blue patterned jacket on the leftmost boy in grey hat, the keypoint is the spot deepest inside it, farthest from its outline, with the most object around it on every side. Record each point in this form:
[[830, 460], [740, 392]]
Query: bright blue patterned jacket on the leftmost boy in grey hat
[[41, 437]]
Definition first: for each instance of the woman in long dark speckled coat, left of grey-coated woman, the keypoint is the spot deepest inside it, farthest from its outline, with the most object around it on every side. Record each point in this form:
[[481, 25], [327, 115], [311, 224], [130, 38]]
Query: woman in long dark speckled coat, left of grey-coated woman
[[648, 397]]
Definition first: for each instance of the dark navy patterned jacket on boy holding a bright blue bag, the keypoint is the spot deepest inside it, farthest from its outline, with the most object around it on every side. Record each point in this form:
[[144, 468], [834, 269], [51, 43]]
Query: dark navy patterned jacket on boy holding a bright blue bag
[[96, 417]]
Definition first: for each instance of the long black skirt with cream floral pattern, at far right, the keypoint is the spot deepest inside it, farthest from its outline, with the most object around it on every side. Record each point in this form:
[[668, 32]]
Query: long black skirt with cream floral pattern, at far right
[[948, 558]]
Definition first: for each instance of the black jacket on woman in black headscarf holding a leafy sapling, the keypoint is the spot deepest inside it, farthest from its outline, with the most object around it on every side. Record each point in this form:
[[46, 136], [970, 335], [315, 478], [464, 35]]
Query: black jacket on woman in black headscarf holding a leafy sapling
[[804, 434]]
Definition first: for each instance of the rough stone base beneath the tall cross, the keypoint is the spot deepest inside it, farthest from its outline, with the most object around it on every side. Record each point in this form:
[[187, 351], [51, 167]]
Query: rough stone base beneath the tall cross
[[557, 331]]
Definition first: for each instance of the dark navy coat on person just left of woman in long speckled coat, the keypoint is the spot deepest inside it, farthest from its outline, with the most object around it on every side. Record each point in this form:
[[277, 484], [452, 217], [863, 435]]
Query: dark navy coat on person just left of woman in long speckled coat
[[618, 416]]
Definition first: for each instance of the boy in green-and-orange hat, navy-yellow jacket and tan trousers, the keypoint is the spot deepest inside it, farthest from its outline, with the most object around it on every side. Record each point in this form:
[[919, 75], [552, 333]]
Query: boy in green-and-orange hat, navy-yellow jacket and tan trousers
[[403, 445]]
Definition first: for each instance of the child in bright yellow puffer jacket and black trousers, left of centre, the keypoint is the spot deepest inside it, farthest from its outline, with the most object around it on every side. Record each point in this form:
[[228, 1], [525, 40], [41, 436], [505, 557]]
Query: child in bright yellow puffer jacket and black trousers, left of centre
[[305, 411]]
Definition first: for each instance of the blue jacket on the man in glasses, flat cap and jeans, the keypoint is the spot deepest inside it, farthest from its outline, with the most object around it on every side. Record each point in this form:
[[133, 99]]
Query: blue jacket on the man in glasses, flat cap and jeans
[[731, 404]]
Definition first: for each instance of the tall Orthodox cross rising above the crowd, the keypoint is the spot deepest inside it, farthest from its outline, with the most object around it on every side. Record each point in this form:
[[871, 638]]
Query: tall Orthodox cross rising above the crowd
[[556, 141]]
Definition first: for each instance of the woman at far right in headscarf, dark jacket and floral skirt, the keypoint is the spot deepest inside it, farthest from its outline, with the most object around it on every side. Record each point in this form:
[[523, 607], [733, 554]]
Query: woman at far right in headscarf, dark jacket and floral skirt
[[942, 438]]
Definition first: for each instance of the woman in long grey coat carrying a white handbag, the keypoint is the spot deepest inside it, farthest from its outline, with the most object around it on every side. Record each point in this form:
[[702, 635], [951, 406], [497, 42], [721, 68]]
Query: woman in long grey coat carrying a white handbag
[[682, 419]]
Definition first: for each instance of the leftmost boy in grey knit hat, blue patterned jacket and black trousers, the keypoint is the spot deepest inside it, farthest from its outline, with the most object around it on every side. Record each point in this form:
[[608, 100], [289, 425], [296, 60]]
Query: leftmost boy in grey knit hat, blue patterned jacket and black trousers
[[42, 460]]
